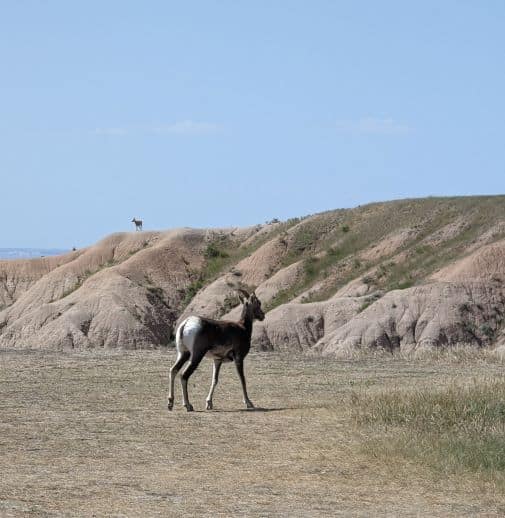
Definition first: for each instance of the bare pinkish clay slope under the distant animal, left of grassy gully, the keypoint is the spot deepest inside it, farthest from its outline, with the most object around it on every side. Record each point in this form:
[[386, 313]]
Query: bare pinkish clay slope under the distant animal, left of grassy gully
[[105, 296]]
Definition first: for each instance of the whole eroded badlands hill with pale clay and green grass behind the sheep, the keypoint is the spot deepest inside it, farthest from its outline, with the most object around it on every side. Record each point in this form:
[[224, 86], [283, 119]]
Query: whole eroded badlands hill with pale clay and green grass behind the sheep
[[402, 274]]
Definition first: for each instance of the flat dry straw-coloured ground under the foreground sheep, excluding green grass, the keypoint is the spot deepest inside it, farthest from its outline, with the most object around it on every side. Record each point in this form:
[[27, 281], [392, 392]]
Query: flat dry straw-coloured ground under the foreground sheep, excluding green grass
[[88, 434]]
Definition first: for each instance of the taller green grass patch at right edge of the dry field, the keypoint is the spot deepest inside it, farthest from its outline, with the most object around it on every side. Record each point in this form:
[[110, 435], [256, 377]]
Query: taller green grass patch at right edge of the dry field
[[451, 429]]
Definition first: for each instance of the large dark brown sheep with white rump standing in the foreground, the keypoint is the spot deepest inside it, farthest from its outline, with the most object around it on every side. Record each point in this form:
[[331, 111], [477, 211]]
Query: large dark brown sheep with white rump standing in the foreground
[[221, 340]]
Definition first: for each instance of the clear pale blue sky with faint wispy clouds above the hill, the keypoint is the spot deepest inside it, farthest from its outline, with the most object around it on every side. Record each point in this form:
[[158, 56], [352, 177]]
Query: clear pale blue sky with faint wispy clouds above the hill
[[218, 113]]
